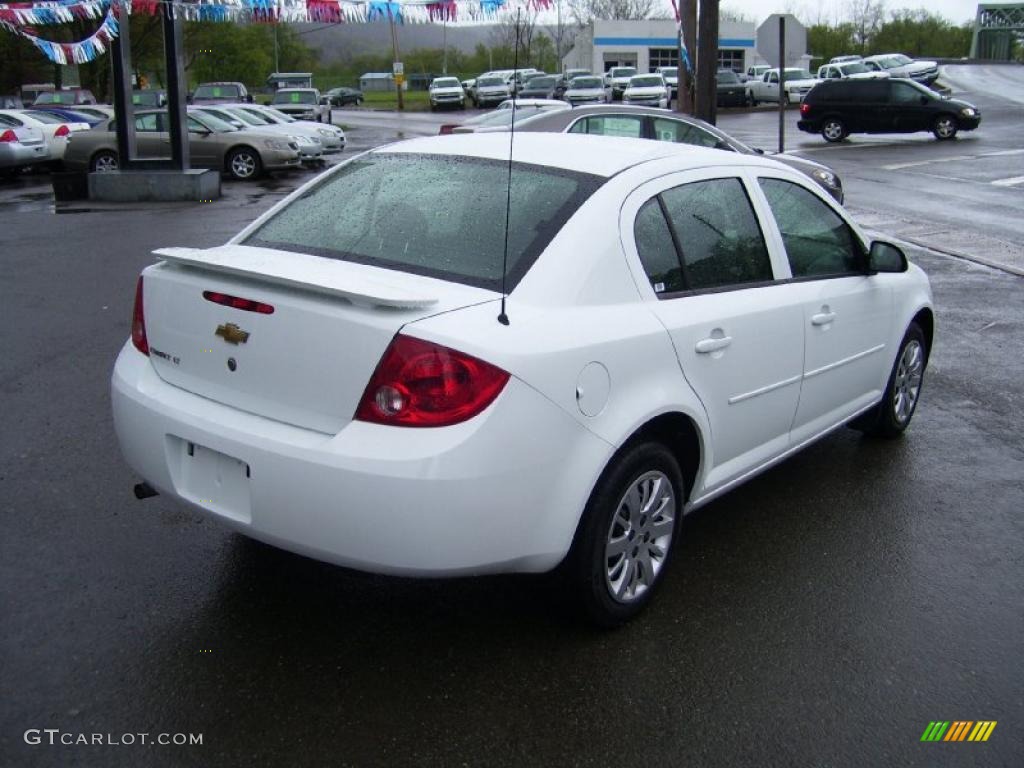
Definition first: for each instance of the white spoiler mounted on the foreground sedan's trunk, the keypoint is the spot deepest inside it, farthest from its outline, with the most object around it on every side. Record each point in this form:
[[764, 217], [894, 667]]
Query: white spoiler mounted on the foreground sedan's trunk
[[303, 271]]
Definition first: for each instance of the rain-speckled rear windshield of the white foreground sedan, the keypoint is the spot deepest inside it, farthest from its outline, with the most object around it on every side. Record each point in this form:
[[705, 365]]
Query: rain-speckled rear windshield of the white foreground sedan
[[434, 216]]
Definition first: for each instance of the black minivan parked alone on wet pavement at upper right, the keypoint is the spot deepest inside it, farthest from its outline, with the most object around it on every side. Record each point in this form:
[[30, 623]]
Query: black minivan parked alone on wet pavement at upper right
[[838, 108]]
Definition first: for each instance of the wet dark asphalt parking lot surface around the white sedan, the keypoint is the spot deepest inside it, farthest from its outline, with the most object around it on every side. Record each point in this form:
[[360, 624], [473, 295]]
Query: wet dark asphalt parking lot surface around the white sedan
[[822, 615]]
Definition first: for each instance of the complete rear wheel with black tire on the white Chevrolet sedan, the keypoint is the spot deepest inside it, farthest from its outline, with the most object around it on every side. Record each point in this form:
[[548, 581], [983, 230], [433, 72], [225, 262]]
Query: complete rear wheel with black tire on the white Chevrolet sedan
[[588, 564]]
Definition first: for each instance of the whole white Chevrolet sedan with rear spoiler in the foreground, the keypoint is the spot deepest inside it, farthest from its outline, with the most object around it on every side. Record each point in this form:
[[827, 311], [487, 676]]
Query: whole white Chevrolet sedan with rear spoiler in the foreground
[[368, 375]]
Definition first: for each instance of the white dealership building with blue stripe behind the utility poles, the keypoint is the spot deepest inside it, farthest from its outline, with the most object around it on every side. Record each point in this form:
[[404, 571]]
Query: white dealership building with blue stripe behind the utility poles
[[653, 44]]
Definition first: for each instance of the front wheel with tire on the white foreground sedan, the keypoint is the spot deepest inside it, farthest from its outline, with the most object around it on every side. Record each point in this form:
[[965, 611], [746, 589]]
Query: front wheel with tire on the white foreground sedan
[[892, 416]]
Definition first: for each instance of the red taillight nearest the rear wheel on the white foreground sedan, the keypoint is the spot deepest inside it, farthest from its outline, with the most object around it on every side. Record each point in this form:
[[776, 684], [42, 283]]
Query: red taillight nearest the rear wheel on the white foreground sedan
[[420, 385]]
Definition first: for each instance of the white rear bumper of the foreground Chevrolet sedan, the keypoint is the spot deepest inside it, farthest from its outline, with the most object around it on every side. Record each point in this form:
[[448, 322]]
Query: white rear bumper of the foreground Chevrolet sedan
[[501, 493]]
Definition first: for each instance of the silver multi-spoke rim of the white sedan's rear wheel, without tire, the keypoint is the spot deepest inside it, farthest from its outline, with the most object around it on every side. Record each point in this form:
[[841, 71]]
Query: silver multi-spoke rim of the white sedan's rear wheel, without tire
[[639, 537]]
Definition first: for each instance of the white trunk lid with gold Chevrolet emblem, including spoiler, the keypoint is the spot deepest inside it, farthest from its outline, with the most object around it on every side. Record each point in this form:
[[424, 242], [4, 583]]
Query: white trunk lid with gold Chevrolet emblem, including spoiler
[[306, 364]]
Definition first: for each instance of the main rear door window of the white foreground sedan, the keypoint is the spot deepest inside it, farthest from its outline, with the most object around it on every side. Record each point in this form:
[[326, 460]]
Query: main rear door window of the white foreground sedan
[[718, 234]]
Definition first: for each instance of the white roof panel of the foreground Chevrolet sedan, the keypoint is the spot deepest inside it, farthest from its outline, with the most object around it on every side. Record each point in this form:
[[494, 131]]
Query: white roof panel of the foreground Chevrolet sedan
[[600, 156]]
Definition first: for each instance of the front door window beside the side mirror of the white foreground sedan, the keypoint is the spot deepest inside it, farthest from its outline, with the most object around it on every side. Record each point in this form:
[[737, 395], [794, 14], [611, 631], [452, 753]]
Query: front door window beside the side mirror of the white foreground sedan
[[818, 241]]
